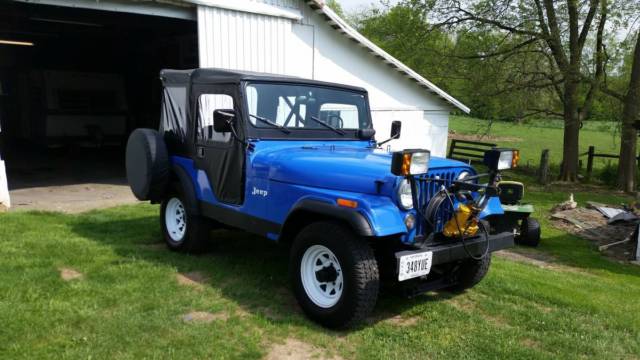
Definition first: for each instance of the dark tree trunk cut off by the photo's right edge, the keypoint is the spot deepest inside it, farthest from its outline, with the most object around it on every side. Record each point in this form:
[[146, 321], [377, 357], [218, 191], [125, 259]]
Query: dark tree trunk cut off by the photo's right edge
[[627, 165]]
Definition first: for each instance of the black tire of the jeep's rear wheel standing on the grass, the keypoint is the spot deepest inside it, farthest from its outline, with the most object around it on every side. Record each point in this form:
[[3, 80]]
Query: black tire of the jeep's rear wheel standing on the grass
[[195, 237]]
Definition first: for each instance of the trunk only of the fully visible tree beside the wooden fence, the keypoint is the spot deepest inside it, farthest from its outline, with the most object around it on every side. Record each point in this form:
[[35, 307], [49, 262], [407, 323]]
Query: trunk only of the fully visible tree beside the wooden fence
[[570, 146]]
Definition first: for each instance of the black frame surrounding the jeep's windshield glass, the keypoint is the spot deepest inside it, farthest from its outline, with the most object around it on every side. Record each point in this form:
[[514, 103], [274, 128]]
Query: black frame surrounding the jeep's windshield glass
[[321, 133]]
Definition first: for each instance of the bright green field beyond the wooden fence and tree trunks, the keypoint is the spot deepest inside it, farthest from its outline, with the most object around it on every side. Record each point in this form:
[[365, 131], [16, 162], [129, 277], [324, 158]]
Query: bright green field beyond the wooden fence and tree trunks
[[532, 137]]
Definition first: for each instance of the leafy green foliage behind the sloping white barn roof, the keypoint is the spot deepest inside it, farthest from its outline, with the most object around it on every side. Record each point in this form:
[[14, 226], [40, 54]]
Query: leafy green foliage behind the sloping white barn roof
[[494, 87]]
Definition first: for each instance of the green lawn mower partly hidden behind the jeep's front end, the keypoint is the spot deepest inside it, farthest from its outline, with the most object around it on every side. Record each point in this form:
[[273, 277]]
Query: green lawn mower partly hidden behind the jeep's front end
[[517, 215]]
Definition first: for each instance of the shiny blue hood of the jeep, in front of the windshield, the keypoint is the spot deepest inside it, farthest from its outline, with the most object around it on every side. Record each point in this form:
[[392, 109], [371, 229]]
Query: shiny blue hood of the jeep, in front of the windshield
[[361, 170]]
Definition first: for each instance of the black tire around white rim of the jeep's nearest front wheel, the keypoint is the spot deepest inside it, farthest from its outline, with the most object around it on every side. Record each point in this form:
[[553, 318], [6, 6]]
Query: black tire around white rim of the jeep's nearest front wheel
[[359, 269]]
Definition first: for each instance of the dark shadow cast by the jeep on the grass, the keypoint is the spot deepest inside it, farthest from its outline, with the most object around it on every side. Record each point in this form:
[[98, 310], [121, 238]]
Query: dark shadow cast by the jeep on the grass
[[246, 269]]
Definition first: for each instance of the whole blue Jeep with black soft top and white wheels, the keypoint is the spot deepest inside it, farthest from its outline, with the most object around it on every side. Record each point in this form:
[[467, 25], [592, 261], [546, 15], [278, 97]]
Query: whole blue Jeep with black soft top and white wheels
[[296, 161]]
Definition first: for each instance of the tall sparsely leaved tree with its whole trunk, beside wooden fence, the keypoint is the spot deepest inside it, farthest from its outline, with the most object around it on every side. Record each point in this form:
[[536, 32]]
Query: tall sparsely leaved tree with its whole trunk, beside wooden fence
[[560, 30]]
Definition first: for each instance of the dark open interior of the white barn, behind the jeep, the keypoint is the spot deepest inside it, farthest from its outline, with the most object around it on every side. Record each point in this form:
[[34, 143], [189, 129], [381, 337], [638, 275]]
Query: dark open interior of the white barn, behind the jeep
[[73, 84]]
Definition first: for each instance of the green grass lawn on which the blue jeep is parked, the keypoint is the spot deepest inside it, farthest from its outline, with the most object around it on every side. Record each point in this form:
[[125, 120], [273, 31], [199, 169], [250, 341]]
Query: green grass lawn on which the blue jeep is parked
[[129, 304]]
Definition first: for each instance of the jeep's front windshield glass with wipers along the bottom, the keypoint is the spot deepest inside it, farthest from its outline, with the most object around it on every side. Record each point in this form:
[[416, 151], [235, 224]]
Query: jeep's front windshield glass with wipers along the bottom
[[307, 109]]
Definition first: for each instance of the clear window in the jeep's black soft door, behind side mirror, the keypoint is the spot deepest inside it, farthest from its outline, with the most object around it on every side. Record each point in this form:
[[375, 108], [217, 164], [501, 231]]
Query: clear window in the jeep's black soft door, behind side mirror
[[207, 104]]
